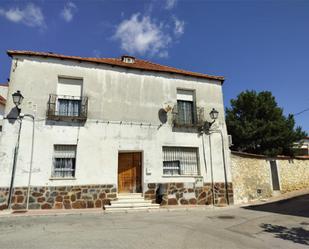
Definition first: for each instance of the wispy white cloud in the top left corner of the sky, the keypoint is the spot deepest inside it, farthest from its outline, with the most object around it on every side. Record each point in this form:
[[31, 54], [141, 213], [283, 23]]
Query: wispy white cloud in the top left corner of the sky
[[31, 15]]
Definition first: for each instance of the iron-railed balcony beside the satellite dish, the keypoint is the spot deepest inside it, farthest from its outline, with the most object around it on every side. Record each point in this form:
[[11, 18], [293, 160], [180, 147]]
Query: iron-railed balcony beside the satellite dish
[[191, 117]]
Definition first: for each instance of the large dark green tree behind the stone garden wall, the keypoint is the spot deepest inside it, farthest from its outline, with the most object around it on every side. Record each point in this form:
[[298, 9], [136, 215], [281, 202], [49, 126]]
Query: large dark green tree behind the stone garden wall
[[258, 125]]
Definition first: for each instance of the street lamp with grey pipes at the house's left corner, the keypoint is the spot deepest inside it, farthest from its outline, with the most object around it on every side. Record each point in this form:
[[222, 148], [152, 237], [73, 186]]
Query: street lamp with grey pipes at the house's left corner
[[17, 100]]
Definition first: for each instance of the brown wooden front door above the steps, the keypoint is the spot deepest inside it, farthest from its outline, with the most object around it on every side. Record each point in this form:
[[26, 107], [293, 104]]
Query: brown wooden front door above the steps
[[129, 172]]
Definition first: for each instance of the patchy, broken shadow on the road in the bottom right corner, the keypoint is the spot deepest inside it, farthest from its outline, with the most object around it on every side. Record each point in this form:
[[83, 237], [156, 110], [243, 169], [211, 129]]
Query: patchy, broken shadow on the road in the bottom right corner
[[295, 234]]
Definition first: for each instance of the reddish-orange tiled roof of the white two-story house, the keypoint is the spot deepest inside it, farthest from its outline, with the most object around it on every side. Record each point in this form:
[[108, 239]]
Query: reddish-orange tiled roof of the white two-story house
[[138, 64]]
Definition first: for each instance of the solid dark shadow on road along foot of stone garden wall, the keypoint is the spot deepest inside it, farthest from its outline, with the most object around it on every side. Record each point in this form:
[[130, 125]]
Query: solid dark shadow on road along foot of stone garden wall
[[297, 206]]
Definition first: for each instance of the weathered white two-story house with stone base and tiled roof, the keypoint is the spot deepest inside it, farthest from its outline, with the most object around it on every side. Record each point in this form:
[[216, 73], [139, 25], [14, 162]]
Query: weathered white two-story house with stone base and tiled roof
[[106, 126]]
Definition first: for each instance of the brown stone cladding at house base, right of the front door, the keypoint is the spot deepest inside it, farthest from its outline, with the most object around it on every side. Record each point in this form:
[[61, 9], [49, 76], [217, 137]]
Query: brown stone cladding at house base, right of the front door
[[188, 194]]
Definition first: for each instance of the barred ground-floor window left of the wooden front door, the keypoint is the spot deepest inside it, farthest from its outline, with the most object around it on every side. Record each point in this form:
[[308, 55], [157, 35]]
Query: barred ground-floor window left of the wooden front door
[[64, 161]]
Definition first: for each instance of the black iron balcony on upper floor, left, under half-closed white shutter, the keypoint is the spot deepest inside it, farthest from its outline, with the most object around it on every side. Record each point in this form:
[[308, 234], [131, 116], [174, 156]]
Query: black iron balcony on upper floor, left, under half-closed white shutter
[[67, 108]]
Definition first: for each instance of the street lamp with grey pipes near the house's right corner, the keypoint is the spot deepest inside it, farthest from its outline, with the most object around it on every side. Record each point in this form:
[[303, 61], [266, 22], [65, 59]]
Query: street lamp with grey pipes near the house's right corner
[[207, 130]]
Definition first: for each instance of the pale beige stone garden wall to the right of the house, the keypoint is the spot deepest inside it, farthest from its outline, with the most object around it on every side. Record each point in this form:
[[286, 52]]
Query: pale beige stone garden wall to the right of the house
[[251, 175]]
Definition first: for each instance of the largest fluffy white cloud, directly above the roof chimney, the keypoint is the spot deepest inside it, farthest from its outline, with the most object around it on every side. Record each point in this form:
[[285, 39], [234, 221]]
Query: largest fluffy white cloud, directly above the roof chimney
[[142, 35]]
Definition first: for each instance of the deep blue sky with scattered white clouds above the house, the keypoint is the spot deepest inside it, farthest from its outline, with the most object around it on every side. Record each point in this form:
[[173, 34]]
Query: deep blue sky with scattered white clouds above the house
[[260, 45]]
